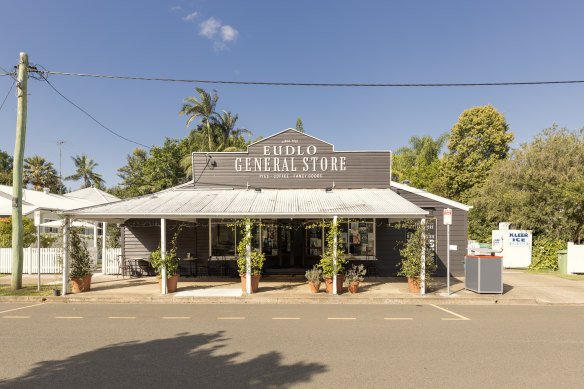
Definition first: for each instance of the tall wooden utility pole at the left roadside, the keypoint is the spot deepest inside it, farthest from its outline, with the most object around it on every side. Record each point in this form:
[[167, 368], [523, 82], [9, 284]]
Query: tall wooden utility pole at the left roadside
[[17, 252]]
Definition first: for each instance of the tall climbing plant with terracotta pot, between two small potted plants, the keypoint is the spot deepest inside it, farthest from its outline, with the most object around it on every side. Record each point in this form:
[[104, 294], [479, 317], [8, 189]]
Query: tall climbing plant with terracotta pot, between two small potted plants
[[334, 248]]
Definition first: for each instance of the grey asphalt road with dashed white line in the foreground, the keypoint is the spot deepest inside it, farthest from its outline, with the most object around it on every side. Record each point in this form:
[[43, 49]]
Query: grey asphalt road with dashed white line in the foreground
[[239, 346]]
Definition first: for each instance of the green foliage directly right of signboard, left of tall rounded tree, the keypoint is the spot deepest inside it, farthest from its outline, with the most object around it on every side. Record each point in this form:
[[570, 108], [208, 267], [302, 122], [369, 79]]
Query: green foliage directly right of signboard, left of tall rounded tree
[[419, 162]]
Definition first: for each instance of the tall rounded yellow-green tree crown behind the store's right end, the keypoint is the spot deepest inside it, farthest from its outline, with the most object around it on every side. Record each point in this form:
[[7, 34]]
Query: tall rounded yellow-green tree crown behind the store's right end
[[477, 142]]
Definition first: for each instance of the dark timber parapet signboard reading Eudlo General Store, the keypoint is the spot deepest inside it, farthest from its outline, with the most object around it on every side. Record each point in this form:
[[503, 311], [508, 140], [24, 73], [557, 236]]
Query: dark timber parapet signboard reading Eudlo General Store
[[291, 159]]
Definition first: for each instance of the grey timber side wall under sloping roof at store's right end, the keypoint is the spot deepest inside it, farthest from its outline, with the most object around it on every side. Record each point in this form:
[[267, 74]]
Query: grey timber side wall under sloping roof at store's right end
[[458, 231]]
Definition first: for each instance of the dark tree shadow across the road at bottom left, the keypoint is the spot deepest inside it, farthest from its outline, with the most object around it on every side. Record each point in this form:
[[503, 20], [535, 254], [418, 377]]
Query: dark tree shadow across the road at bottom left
[[187, 360]]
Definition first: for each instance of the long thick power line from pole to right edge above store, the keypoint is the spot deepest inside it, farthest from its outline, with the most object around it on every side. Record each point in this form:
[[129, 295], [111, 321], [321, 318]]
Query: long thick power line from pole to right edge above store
[[316, 84]]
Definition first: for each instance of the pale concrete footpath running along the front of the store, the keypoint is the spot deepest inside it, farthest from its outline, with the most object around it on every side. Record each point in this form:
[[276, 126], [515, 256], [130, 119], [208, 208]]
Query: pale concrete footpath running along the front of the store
[[519, 288]]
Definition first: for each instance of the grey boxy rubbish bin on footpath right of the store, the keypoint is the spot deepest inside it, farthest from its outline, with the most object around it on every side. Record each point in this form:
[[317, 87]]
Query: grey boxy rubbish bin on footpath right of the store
[[483, 273]]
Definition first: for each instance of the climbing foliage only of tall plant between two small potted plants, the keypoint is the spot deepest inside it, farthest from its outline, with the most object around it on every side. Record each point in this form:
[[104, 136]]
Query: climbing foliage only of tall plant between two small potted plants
[[333, 247]]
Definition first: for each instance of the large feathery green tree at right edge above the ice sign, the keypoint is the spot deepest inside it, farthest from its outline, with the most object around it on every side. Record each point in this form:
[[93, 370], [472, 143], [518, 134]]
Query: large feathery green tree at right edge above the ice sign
[[540, 187]]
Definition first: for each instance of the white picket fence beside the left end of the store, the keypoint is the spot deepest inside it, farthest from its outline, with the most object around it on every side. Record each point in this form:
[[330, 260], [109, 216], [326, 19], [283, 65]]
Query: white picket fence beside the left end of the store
[[50, 262]]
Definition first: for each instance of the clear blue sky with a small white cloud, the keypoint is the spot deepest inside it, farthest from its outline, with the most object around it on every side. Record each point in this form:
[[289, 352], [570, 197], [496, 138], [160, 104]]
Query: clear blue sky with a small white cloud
[[294, 41]]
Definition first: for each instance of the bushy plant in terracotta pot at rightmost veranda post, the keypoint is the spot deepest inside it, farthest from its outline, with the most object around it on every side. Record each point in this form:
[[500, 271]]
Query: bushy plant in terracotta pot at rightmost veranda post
[[411, 253]]
